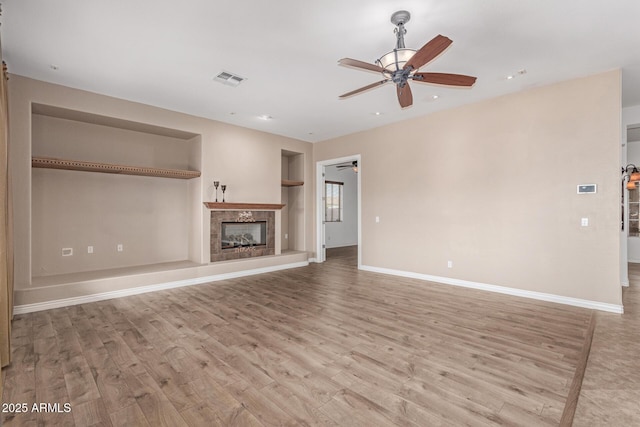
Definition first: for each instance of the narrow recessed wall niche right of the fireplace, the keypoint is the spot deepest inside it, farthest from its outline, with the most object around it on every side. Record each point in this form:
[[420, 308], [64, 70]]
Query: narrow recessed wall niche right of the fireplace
[[292, 196]]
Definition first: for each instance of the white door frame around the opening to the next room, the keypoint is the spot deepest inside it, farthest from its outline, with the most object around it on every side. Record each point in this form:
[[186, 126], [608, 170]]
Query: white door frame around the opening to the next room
[[321, 254]]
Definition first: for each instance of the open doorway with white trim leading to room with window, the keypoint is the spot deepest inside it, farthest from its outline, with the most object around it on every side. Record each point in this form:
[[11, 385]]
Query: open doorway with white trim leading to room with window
[[339, 235]]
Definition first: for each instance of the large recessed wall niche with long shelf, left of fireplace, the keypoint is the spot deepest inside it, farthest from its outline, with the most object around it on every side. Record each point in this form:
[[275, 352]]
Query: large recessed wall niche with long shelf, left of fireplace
[[132, 203]]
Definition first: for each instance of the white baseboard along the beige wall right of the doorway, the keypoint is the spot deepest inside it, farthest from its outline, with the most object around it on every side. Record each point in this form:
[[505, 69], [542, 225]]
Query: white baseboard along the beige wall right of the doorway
[[594, 305]]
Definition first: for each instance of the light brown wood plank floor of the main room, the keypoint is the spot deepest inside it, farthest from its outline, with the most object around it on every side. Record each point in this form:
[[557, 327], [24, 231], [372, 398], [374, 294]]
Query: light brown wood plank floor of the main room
[[320, 345]]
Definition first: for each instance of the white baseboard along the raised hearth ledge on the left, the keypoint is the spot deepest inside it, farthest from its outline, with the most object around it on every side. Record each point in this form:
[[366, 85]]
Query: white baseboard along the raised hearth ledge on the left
[[47, 305]]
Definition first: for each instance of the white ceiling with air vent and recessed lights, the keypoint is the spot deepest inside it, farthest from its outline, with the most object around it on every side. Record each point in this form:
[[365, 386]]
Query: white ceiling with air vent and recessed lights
[[165, 53]]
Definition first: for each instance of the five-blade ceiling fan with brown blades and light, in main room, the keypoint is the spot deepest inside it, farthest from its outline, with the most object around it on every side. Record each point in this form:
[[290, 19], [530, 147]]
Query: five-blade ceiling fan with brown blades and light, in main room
[[402, 64]]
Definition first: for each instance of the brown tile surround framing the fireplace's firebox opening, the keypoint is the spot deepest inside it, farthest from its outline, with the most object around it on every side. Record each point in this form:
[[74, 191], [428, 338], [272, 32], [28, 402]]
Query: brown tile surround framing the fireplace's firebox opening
[[220, 216]]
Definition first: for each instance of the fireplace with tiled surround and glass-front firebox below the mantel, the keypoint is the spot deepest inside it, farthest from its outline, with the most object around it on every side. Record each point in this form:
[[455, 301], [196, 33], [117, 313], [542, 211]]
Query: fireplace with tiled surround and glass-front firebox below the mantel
[[237, 234]]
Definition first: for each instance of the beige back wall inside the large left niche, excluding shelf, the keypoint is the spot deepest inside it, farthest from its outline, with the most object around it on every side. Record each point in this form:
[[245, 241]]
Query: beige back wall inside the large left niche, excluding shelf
[[79, 209]]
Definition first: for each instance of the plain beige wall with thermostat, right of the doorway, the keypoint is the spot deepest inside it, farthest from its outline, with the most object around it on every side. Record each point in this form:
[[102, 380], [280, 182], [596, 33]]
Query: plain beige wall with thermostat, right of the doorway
[[492, 187]]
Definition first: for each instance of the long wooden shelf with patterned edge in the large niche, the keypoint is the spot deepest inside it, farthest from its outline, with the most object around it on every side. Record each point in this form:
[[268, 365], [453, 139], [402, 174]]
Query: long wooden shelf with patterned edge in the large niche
[[79, 165]]
